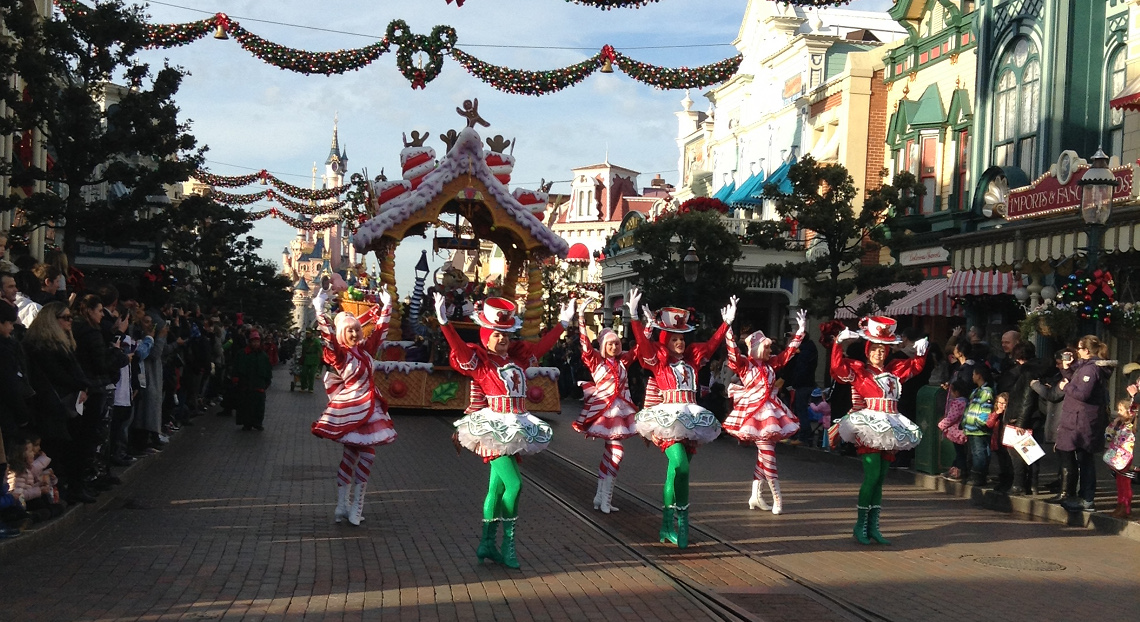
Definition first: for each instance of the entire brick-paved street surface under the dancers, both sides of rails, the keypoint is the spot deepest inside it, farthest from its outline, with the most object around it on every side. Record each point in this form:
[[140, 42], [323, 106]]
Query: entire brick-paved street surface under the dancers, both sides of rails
[[238, 526]]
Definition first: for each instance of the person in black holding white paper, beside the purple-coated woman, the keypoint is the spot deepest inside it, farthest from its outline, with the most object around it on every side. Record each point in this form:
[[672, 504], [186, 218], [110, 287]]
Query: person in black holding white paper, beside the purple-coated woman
[[1025, 414]]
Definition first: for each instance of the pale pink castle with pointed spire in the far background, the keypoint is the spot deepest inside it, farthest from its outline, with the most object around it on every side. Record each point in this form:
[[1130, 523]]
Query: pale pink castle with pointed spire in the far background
[[317, 252]]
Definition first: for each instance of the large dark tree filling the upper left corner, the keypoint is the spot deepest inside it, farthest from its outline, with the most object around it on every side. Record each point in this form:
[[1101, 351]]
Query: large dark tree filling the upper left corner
[[125, 152]]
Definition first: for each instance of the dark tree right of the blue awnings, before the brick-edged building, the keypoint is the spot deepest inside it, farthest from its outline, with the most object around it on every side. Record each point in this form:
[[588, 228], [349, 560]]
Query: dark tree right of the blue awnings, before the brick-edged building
[[836, 240]]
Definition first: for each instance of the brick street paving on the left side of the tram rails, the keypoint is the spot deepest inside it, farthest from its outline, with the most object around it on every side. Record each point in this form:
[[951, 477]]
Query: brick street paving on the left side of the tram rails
[[238, 526]]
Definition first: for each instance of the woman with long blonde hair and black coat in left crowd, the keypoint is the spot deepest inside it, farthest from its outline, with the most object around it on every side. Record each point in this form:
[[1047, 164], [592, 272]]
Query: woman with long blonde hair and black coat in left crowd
[[60, 383]]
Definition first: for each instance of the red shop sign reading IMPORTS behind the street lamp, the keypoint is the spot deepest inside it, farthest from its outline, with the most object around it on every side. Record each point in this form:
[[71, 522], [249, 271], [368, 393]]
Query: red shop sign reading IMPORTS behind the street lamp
[[1060, 191]]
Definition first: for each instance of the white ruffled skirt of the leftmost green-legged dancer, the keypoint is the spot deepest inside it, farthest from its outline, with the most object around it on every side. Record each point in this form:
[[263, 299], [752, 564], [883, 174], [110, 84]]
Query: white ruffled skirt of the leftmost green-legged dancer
[[492, 435]]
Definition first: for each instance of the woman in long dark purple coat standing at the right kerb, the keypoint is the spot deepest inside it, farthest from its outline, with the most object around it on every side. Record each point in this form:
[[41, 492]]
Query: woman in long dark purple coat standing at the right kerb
[[1085, 418]]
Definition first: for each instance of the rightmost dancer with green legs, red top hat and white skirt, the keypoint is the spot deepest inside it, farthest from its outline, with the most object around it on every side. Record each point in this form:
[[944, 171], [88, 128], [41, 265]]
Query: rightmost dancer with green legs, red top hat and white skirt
[[875, 424]]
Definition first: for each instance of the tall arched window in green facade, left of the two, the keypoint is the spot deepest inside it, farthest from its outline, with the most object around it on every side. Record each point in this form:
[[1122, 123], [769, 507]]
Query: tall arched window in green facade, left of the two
[[1017, 108]]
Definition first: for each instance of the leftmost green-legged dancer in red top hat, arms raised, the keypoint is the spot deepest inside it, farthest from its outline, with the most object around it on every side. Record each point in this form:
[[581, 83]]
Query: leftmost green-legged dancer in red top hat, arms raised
[[504, 430]]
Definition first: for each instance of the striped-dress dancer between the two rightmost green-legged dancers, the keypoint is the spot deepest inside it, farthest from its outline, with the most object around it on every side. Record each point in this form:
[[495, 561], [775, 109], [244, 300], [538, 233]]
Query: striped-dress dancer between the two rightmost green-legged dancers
[[758, 415]]
